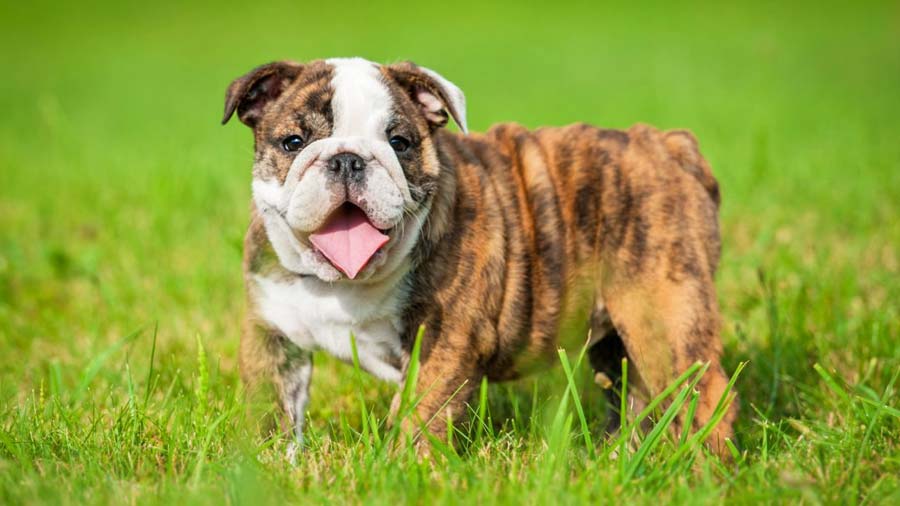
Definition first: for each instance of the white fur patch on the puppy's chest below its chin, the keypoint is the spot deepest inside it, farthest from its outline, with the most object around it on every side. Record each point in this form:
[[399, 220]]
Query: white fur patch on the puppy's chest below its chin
[[320, 316]]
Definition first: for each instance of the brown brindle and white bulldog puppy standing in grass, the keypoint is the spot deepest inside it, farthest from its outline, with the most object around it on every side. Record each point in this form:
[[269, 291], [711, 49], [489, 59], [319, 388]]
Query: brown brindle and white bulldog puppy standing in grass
[[370, 218]]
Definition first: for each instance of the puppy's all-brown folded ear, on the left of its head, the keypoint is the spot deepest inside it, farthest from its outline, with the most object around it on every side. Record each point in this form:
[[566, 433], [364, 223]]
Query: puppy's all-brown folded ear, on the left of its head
[[250, 93]]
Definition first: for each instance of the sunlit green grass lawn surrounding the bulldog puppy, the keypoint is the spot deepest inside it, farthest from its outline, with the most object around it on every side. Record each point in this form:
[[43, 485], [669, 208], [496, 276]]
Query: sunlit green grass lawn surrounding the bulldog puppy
[[123, 204]]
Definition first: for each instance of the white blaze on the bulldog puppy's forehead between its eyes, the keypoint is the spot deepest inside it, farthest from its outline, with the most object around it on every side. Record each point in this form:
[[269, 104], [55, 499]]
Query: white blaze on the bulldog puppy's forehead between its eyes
[[362, 102]]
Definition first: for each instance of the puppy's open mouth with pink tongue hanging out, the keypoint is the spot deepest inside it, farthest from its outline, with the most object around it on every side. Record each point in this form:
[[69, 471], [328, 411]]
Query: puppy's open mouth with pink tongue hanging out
[[348, 239]]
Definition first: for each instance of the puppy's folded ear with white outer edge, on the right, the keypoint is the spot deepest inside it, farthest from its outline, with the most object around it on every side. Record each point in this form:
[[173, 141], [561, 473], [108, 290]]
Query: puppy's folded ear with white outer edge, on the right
[[434, 94]]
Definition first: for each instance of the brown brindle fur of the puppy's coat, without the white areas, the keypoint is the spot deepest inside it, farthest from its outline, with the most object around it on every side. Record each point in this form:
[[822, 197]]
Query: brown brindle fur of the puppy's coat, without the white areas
[[524, 226]]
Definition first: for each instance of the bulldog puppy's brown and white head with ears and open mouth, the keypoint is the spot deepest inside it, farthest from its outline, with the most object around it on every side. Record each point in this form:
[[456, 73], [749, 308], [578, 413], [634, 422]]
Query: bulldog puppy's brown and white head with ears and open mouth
[[346, 166]]
